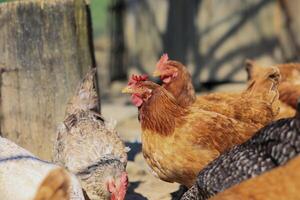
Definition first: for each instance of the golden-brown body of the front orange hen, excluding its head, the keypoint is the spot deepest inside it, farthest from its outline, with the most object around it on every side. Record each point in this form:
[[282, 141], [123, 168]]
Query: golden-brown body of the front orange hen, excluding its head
[[172, 154]]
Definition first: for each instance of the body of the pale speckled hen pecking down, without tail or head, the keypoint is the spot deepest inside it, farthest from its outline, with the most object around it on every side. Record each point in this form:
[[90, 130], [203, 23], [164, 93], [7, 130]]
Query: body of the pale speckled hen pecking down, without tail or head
[[92, 152]]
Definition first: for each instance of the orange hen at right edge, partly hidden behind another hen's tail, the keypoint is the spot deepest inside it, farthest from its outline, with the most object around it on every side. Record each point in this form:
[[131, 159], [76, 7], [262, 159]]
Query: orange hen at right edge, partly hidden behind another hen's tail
[[289, 88]]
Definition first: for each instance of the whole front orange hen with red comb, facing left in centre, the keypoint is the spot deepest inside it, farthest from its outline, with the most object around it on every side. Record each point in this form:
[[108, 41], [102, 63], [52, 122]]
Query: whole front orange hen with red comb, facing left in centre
[[174, 136]]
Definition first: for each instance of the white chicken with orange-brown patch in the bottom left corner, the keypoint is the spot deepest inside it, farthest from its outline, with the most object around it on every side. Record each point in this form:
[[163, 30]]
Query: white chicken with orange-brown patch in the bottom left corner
[[24, 176]]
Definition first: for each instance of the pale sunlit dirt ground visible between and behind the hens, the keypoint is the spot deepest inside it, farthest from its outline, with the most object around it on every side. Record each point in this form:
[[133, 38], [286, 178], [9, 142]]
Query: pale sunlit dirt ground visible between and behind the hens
[[143, 185]]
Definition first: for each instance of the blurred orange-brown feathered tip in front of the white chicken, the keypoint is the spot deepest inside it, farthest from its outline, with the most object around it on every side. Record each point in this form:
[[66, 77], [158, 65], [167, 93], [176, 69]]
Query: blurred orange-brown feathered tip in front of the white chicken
[[55, 186]]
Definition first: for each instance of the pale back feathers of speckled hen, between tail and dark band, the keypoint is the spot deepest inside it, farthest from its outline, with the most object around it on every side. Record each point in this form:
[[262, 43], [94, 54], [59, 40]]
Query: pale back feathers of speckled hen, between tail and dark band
[[86, 142]]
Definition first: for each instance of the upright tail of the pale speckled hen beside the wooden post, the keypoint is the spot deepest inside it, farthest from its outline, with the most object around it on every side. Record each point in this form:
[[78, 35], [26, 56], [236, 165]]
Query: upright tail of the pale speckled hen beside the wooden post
[[86, 97]]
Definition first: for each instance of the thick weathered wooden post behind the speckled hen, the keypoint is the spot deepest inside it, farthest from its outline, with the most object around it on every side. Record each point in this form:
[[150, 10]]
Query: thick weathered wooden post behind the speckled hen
[[45, 50]]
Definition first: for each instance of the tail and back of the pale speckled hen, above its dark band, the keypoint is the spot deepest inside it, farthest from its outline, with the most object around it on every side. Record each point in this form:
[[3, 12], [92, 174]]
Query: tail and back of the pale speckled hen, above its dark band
[[84, 137]]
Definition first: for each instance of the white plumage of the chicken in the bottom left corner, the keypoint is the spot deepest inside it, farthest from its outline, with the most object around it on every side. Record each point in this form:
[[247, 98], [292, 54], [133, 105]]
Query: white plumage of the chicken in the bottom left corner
[[21, 173]]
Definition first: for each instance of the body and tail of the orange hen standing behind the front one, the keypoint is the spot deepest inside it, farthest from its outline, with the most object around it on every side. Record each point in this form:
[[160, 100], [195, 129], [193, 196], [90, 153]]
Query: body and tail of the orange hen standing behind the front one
[[227, 103]]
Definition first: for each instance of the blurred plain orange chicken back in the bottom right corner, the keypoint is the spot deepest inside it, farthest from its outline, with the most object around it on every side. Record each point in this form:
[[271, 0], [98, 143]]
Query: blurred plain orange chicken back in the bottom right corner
[[277, 184]]
